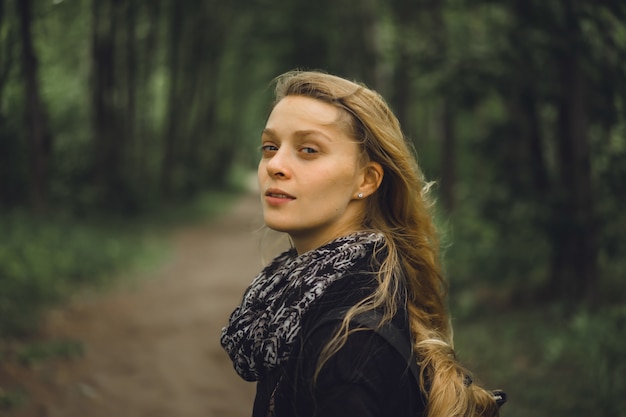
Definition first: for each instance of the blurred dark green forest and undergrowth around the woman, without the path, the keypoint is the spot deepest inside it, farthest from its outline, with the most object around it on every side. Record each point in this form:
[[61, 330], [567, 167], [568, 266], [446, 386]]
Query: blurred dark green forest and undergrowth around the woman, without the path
[[119, 118]]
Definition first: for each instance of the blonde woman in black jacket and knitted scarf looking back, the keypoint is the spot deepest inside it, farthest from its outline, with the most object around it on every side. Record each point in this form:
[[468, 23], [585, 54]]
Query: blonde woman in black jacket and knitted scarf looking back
[[336, 325]]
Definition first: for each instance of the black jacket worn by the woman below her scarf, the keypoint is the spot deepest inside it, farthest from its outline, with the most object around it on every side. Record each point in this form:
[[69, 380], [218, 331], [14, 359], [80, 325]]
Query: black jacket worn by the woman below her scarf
[[367, 377]]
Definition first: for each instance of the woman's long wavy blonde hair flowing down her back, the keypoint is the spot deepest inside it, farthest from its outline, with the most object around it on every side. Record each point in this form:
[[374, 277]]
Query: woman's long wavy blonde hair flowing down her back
[[401, 211]]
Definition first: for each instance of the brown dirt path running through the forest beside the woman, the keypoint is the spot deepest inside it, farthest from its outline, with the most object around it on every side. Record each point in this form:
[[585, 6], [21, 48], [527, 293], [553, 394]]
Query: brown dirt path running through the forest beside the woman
[[154, 350]]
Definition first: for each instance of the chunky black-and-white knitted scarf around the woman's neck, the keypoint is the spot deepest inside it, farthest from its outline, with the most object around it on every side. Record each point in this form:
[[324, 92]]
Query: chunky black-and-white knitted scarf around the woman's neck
[[263, 328]]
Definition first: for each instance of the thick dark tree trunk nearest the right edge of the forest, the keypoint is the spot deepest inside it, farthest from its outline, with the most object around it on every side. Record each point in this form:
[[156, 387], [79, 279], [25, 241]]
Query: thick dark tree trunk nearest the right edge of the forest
[[575, 263]]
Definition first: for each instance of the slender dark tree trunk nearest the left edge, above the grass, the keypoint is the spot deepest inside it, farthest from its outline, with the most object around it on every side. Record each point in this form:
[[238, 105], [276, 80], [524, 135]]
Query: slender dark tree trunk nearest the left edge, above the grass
[[40, 139]]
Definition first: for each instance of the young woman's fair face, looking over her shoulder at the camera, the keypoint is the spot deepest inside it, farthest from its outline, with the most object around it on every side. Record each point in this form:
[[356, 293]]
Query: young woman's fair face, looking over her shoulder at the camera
[[309, 173]]
